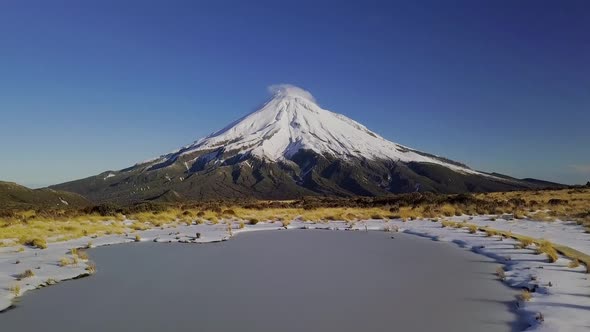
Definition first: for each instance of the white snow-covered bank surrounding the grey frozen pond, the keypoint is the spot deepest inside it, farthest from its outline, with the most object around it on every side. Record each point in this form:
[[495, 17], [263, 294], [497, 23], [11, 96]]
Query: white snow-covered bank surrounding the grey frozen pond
[[560, 300]]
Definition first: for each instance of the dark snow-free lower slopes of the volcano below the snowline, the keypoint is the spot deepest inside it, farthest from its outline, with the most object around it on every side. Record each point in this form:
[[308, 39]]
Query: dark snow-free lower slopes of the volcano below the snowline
[[306, 174]]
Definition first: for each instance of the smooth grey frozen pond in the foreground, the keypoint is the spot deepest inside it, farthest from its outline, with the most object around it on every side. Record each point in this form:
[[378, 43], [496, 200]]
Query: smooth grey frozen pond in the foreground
[[297, 280]]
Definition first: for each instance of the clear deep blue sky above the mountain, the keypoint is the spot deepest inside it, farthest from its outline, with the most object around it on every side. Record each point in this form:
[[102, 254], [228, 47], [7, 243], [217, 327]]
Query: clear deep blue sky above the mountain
[[88, 86]]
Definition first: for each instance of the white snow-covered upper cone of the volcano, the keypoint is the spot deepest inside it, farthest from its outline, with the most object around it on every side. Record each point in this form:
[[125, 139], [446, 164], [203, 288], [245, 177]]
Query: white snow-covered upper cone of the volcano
[[292, 121]]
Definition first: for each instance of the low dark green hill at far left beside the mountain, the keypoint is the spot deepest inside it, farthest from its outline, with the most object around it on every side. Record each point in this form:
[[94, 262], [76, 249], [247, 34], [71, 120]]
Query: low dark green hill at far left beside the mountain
[[14, 196]]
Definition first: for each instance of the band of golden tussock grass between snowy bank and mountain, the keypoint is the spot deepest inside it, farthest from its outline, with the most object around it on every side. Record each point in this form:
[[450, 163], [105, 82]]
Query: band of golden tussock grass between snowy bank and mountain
[[53, 224]]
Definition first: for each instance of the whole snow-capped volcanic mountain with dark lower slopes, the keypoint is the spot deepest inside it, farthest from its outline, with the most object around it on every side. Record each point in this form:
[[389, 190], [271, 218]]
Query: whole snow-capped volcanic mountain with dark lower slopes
[[287, 149]]
